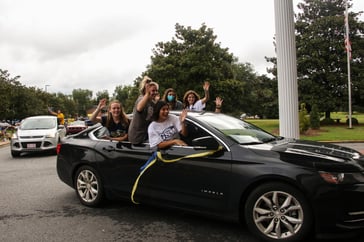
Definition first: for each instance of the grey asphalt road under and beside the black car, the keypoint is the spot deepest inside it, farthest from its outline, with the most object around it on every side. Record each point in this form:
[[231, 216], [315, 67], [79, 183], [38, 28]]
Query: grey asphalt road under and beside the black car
[[36, 206]]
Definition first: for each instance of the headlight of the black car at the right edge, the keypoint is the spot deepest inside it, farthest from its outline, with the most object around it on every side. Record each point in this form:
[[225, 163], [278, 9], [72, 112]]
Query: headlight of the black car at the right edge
[[342, 178]]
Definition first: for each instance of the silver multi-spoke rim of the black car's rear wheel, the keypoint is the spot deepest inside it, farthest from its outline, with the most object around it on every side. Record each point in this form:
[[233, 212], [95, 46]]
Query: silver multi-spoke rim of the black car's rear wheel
[[87, 186]]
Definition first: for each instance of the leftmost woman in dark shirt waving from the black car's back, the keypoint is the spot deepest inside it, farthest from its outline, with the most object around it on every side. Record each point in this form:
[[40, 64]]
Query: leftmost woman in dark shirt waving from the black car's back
[[115, 121]]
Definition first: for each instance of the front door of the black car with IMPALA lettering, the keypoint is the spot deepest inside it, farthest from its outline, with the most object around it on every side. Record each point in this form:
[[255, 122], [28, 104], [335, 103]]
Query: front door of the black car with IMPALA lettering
[[190, 176]]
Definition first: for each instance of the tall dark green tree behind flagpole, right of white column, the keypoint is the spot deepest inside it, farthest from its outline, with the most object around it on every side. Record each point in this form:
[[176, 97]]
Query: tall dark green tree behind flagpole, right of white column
[[321, 57]]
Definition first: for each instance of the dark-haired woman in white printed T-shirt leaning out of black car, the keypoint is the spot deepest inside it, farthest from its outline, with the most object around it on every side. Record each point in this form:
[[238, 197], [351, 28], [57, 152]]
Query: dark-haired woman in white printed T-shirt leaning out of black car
[[164, 131]]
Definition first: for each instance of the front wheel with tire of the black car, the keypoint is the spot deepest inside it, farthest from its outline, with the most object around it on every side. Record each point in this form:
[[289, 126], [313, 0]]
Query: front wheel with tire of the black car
[[278, 212]]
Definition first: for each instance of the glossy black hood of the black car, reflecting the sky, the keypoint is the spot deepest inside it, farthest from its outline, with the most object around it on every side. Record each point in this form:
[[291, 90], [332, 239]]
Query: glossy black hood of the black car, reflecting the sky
[[314, 154]]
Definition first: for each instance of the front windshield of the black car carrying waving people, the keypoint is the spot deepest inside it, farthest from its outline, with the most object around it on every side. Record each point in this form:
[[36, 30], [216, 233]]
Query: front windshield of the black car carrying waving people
[[238, 130]]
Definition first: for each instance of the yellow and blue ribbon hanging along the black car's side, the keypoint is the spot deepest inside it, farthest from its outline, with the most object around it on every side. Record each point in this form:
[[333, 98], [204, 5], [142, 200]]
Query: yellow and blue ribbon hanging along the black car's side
[[158, 156]]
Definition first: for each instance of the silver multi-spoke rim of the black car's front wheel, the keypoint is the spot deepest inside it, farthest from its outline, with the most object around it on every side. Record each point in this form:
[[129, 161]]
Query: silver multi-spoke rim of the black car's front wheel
[[278, 215]]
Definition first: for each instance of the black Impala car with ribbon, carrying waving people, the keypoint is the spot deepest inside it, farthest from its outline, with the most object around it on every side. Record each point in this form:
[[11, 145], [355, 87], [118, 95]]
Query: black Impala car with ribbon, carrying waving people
[[282, 189]]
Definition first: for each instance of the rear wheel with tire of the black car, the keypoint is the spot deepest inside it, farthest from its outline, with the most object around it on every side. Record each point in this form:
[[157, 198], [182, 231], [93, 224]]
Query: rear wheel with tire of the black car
[[88, 186]]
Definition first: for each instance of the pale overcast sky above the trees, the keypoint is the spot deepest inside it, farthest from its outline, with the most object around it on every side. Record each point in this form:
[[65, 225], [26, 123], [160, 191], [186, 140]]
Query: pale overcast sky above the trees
[[98, 45]]
